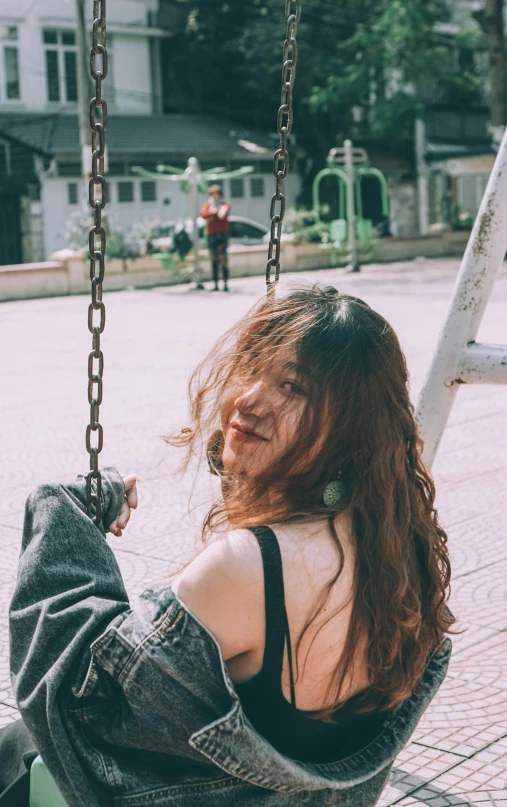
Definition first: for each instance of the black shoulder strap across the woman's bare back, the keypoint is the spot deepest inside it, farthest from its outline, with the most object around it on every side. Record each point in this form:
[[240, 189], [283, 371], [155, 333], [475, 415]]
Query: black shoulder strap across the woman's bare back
[[277, 623]]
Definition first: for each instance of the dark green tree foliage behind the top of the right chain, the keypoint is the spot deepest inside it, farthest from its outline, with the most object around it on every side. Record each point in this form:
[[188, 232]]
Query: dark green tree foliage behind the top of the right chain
[[360, 62]]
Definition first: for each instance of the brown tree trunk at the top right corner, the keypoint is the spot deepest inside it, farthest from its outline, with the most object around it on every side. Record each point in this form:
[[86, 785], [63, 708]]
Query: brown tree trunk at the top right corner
[[491, 20]]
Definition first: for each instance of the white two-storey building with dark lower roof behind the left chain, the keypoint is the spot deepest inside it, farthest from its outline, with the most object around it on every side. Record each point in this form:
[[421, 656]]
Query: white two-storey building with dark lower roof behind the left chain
[[40, 174]]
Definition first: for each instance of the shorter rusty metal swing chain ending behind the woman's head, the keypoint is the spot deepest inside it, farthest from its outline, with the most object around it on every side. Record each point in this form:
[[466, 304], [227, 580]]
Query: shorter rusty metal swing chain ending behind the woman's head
[[281, 156]]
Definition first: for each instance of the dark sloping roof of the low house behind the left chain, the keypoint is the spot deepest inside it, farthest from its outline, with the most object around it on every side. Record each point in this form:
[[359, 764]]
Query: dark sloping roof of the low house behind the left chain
[[177, 134]]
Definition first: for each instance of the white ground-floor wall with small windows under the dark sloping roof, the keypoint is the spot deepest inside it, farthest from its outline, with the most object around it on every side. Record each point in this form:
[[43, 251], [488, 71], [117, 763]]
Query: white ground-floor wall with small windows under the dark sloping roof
[[57, 211]]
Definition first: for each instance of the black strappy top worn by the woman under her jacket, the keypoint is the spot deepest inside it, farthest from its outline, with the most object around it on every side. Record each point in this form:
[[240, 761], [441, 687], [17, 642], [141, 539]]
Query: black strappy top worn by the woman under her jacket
[[290, 730]]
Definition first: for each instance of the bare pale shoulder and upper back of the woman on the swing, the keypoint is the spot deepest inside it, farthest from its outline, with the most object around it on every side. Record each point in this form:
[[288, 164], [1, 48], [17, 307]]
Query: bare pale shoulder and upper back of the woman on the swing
[[227, 588]]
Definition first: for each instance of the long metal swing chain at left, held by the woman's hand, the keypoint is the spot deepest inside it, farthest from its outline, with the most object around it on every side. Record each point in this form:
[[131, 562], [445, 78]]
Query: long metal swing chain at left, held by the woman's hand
[[97, 251]]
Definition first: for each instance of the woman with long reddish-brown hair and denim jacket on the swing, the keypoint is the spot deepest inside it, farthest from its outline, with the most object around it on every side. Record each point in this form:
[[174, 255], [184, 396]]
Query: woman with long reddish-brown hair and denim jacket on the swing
[[285, 664]]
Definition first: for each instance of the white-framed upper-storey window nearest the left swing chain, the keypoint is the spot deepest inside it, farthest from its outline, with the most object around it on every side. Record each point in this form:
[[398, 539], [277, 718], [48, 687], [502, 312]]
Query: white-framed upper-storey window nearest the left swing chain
[[61, 65]]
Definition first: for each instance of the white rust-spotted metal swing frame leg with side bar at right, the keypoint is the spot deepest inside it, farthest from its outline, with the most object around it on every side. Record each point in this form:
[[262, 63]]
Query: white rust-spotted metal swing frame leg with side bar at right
[[458, 359]]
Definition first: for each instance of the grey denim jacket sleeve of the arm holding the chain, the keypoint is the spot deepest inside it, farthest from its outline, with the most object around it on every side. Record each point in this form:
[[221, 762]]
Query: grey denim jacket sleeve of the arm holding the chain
[[89, 669]]
